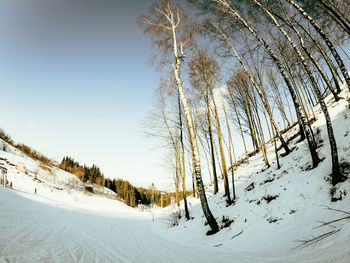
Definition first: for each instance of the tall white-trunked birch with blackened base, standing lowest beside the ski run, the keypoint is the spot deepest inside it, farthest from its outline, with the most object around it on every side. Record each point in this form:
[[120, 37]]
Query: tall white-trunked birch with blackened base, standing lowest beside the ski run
[[166, 24]]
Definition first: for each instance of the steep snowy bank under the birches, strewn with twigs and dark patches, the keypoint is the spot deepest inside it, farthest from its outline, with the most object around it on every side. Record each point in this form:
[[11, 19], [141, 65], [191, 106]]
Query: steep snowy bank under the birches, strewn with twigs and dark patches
[[281, 208]]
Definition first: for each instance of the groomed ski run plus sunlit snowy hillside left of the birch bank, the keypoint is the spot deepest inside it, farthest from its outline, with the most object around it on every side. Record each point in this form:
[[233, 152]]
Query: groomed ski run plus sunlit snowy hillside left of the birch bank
[[71, 226]]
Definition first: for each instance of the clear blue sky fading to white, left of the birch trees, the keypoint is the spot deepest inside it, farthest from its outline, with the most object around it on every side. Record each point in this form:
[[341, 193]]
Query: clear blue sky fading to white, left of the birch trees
[[75, 80]]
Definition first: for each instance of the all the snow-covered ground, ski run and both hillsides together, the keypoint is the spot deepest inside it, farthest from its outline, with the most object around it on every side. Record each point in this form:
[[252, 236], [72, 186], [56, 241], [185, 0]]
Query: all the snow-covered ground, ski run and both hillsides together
[[71, 226]]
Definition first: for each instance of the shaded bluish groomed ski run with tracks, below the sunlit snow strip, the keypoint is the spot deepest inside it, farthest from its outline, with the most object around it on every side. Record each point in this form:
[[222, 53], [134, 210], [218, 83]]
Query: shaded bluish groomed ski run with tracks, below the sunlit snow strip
[[41, 233]]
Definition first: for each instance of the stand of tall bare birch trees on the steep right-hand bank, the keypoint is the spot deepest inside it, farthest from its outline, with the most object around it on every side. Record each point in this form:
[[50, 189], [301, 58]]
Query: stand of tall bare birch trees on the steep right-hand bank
[[252, 65]]
